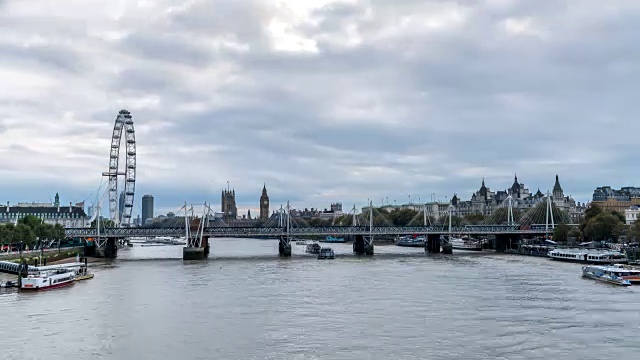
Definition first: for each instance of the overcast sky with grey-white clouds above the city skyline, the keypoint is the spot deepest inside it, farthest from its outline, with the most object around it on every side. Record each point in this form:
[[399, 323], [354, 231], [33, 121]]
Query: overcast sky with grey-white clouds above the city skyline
[[321, 100]]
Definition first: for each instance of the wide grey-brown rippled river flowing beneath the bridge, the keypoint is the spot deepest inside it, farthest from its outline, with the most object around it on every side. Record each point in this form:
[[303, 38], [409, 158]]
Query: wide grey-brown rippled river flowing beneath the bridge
[[246, 303]]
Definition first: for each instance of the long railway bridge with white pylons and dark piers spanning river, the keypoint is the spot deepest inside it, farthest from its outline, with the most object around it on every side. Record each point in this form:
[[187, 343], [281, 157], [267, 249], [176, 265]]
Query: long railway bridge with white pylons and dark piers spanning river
[[198, 233]]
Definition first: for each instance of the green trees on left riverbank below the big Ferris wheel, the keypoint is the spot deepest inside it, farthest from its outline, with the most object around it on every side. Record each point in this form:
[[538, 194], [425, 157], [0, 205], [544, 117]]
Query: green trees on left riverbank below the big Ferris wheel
[[29, 230]]
